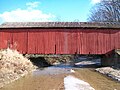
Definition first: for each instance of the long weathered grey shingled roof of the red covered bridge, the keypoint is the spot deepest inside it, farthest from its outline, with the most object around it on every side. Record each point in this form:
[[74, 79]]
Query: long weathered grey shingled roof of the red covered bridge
[[60, 25]]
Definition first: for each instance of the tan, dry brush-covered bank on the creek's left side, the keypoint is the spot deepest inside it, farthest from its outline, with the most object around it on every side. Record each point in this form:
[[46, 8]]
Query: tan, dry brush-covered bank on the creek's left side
[[13, 65]]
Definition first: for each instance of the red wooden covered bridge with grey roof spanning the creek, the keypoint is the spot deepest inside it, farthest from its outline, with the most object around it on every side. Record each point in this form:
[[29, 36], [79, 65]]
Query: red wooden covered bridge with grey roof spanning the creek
[[60, 37]]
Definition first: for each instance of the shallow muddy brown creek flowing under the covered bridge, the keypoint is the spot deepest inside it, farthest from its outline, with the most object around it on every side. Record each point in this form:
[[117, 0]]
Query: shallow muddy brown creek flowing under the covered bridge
[[51, 78]]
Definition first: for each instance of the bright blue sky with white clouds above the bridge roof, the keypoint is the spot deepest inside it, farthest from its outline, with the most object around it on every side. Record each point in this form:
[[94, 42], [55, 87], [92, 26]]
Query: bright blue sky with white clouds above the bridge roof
[[45, 10]]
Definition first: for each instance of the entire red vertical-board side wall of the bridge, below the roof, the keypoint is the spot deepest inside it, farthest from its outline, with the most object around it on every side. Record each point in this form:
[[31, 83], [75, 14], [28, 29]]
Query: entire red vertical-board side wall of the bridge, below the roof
[[61, 41]]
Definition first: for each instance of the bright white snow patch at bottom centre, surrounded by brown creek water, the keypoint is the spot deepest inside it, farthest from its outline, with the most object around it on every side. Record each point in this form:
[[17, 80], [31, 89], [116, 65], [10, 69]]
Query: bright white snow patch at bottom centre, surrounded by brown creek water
[[72, 83]]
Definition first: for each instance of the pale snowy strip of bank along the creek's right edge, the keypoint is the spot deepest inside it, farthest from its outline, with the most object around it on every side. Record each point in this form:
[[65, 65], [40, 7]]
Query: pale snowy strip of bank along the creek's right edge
[[111, 72]]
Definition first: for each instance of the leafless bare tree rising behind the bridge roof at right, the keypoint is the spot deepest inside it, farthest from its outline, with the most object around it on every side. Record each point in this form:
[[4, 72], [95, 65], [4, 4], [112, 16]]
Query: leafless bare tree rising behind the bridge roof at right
[[106, 11]]
